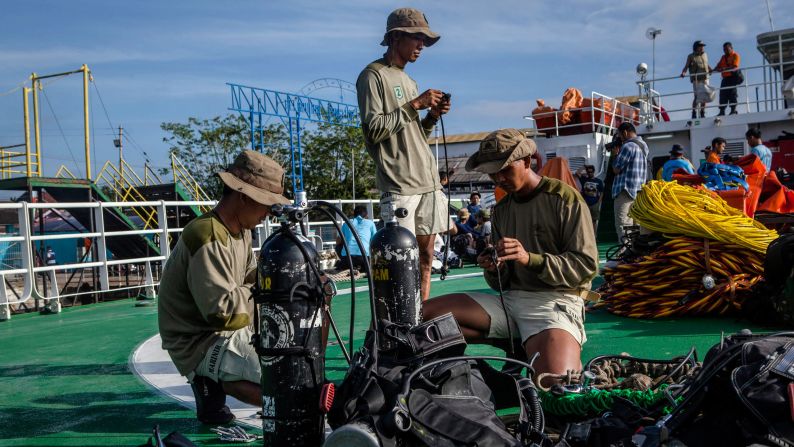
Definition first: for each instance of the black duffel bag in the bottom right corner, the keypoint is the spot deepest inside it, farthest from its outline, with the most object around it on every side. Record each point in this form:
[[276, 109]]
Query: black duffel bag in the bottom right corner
[[743, 394]]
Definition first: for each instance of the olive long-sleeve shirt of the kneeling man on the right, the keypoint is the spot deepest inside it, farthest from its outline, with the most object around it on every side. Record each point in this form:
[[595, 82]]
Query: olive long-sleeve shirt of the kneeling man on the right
[[555, 228]]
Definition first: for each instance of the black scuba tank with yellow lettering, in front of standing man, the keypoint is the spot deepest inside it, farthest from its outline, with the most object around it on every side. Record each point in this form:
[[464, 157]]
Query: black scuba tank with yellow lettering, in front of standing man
[[394, 257]]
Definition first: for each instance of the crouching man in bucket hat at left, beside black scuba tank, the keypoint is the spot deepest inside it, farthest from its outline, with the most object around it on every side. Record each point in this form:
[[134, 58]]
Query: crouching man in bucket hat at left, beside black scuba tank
[[204, 308]]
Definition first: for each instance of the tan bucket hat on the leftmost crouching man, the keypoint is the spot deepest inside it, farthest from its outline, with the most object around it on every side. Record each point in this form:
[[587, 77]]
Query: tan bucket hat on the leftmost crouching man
[[257, 176]]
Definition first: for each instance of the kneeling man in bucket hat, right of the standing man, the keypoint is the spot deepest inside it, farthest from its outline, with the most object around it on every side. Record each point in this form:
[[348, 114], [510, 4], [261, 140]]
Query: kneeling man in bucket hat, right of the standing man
[[546, 256]]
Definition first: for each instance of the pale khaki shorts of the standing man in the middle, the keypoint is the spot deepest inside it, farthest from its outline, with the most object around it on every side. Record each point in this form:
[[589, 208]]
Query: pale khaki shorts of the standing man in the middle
[[427, 213]]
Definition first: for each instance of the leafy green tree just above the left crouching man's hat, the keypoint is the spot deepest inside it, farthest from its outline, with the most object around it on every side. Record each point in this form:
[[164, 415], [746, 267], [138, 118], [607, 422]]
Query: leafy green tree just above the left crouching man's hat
[[206, 146]]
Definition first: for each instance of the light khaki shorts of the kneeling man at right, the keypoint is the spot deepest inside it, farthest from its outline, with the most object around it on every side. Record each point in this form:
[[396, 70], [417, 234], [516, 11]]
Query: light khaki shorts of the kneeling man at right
[[533, 312]]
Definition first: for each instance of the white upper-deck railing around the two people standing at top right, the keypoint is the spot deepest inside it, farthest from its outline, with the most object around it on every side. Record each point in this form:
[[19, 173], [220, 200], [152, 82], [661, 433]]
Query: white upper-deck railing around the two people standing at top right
[[768, 92]]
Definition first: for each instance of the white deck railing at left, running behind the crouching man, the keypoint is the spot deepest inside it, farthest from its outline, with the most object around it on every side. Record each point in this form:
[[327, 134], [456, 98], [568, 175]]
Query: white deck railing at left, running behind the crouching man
[[38, 284]]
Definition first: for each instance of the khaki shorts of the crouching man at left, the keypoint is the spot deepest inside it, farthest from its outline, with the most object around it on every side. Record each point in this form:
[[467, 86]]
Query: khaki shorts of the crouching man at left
[[231, 359]]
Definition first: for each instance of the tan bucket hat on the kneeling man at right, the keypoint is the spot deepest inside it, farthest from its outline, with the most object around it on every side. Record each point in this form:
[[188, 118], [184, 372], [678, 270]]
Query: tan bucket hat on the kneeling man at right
[[499, 149]]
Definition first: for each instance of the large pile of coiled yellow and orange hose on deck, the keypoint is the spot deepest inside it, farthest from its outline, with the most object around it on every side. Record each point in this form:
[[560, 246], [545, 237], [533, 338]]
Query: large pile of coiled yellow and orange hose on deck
[[710, 266]]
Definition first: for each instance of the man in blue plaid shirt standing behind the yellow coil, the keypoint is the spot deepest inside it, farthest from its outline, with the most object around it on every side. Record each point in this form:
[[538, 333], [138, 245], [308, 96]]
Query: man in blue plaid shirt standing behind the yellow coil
[[630, 166]]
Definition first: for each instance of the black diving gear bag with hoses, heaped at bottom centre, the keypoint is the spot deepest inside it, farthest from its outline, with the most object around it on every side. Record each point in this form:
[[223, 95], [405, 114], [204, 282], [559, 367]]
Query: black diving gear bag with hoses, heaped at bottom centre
[[423, 393]]
